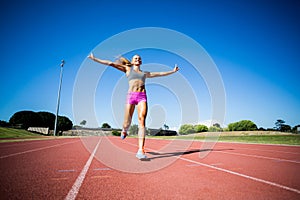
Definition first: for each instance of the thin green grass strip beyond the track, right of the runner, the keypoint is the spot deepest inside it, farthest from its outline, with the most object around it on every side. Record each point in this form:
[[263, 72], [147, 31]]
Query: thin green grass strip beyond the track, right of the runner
[[260, 139]]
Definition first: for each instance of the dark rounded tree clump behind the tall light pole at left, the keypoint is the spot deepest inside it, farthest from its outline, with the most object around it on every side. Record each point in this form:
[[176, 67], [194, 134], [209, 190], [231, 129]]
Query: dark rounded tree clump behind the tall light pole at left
[[25, 119]]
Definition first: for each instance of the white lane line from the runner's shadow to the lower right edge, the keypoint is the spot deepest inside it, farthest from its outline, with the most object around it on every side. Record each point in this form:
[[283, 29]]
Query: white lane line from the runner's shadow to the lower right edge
[[243, 175]]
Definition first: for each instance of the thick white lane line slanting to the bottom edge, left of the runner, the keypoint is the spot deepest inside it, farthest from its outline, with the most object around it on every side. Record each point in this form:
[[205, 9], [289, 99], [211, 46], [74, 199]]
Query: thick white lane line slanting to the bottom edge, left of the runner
[[75, 188]]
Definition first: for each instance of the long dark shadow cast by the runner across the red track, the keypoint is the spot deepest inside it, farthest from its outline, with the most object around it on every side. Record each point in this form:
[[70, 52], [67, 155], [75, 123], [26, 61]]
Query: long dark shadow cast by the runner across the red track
[[157, 155]]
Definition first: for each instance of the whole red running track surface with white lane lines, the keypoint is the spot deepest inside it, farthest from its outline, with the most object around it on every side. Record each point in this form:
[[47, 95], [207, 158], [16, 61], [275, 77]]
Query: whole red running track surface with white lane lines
[[106, 168]]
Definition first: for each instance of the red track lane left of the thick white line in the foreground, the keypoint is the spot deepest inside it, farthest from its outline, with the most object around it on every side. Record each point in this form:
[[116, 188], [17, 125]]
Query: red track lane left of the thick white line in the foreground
[[44, 174]]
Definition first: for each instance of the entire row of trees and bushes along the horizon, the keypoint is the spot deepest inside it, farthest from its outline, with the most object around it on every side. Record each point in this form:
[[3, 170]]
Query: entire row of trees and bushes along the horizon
[[25, 119]]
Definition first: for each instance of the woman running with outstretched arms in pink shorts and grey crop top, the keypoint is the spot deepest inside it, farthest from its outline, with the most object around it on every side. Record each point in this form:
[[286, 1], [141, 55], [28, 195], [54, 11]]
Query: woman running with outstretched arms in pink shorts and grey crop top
[[136, 95]]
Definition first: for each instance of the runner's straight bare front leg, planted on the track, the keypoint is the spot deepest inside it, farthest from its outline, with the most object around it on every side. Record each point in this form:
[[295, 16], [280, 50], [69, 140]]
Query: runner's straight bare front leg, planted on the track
[[142, 113]]
